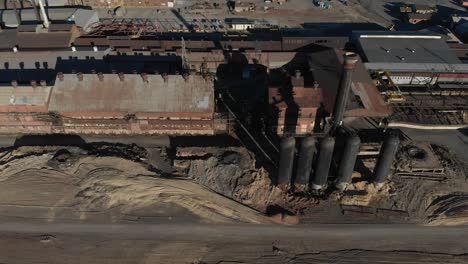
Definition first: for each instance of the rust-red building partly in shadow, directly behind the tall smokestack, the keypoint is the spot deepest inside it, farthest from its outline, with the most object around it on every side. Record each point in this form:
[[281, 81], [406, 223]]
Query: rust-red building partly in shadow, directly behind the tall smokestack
[[303, 100]]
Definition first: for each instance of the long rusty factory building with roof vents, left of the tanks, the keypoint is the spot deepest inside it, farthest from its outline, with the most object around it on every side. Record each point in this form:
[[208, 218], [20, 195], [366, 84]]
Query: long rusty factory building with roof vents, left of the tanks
[[110, 104]]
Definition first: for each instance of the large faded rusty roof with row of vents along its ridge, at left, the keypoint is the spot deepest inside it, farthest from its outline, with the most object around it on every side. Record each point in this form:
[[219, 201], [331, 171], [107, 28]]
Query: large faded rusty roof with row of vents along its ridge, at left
[[132, 94]]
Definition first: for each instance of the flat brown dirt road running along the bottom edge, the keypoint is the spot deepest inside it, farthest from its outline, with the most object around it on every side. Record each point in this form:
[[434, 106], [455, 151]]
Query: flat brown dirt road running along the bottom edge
[[180, 243]]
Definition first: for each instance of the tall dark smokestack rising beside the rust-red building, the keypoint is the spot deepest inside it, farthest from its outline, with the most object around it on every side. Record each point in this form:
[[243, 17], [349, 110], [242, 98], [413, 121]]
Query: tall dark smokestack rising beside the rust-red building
[[342, 95]]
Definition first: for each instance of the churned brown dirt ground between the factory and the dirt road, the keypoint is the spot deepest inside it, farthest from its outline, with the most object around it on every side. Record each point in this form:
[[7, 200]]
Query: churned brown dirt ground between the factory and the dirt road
[[127, 183]]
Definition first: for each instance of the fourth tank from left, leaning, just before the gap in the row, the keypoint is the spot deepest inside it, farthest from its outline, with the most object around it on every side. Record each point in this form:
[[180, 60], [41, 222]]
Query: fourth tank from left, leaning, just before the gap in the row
[[348, 160]]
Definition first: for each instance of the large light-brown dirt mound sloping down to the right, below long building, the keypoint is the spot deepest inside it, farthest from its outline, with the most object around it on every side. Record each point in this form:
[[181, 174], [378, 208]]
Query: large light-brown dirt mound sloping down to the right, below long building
[[53, 183]]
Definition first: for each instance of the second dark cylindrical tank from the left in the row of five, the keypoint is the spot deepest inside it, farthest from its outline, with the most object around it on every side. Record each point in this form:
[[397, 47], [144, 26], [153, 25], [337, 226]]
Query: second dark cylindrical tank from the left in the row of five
[[304, 163]]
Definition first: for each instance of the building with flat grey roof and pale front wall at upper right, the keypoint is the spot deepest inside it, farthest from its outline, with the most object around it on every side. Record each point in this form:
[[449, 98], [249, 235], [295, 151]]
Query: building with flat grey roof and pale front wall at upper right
[[411, 58]]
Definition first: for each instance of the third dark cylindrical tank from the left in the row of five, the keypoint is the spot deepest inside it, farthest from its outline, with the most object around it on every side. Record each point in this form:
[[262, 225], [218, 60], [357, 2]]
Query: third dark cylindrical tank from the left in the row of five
[[324, 159]]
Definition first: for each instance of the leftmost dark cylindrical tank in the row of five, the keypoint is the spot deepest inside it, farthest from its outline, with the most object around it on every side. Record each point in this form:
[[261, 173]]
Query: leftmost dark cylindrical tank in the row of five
[[288, 147]]
